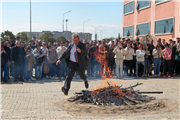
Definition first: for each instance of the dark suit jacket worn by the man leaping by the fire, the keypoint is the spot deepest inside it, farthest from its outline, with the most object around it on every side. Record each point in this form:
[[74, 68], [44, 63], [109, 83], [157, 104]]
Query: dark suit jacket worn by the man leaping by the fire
[[80, 56]]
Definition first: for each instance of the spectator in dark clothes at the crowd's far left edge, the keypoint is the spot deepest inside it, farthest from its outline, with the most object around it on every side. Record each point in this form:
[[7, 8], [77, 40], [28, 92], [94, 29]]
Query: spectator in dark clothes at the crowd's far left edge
[[3, 63]]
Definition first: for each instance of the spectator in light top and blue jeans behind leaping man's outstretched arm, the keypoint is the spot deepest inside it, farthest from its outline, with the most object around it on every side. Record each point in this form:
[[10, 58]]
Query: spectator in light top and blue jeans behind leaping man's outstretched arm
[[61, 68]]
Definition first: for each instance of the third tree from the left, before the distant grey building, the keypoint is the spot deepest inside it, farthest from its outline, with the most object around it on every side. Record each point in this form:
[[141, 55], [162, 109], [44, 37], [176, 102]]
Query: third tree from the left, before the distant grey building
[[48, 37]]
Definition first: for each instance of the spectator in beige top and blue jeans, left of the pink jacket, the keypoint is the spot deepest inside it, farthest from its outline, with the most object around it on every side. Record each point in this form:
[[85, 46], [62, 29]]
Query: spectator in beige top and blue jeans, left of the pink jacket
[[157, 54]]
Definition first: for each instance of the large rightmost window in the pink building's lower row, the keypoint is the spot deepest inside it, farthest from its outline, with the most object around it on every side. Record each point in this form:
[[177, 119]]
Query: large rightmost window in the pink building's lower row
[[164, 26]]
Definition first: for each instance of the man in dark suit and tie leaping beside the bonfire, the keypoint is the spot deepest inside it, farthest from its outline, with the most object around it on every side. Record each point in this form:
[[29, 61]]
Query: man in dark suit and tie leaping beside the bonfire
[[75, 59]]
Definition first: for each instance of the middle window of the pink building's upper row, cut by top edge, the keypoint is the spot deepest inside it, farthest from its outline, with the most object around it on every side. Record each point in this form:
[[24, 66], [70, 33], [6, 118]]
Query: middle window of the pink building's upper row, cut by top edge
[[142, 4]]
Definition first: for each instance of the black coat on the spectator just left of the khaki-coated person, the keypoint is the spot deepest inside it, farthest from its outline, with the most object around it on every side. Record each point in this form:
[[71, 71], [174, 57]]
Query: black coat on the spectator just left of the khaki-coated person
[[18, 56]]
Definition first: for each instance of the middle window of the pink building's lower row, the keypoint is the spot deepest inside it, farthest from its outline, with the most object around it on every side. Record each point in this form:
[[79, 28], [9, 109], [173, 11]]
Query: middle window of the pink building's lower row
[[142, 29]]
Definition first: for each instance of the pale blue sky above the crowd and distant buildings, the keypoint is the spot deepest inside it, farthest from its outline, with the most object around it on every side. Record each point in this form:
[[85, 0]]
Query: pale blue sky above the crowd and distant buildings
[[48, 15]]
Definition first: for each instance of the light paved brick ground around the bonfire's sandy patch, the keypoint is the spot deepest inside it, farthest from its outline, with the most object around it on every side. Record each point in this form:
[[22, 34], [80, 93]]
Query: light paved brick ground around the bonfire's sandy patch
[[37, 100]]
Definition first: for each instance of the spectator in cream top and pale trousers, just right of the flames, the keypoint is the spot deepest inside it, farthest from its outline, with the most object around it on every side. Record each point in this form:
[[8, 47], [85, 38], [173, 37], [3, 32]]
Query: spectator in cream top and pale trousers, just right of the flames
[[119, 55]]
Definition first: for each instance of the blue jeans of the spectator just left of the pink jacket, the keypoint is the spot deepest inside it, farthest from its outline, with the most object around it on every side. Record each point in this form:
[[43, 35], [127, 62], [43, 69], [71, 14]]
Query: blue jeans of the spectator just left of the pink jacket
[[157, 65]]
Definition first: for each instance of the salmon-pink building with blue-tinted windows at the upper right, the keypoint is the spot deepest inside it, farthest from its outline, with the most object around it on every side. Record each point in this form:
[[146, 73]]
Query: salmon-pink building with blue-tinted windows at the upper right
[[158, 18]]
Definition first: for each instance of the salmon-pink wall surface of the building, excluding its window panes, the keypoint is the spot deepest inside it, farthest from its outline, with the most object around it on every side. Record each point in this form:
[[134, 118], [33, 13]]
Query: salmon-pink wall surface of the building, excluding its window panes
[[155, 12]]
